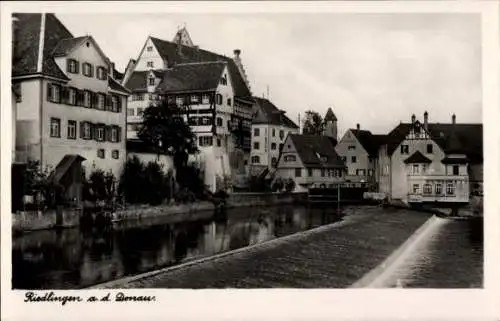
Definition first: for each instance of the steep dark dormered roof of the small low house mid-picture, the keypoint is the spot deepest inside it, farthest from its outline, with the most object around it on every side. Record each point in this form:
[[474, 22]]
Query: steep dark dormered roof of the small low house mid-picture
[[309, 147]]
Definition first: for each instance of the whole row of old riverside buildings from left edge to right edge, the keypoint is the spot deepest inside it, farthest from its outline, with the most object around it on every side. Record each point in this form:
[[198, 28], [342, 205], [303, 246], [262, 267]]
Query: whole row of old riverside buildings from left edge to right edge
[[68, 100]]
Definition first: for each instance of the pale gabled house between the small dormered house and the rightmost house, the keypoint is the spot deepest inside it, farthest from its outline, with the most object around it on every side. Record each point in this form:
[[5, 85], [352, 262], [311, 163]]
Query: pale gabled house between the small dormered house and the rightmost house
[[359, 150]]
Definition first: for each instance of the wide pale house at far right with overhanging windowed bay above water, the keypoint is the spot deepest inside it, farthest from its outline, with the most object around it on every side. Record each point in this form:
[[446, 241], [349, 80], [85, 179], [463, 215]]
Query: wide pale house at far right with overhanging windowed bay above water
[[432, 162]]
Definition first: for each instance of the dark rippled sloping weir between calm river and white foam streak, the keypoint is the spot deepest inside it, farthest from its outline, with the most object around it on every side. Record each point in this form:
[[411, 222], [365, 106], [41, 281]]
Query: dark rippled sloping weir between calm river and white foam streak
[[335, 257]]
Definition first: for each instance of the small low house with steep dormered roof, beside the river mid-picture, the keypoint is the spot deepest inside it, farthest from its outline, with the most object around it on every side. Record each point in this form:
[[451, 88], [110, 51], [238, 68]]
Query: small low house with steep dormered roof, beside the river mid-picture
[[311, 161]]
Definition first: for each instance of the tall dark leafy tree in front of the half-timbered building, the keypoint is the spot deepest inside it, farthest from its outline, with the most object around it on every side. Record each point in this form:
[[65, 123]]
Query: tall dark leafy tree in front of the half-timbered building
[[165, 130]]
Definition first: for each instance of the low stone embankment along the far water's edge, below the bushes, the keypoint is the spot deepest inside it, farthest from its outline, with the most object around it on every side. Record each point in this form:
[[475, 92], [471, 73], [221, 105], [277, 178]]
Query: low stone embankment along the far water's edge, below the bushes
[[32, 221]]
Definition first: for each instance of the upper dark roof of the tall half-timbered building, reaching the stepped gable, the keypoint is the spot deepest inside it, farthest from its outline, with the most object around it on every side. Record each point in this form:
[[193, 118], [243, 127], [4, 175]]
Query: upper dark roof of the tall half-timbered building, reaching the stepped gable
[[169, 51]]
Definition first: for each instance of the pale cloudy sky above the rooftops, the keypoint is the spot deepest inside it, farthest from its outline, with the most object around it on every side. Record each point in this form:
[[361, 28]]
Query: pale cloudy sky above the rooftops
[[373, 69]]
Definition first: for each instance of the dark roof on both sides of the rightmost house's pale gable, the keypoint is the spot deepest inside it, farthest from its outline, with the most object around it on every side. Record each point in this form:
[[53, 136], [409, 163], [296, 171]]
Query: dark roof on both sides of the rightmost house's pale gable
[[467, 138]]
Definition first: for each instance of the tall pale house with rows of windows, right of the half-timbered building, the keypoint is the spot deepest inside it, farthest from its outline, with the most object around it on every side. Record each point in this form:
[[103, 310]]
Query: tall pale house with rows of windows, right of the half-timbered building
[[270, 127]]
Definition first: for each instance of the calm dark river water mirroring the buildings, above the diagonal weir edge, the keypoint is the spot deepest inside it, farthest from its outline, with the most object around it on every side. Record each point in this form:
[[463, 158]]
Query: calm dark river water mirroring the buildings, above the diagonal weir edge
[[74, 258]]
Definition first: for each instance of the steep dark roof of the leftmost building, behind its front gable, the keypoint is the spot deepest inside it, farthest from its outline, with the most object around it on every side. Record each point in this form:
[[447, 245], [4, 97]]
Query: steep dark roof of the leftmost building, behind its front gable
[[26, 43]]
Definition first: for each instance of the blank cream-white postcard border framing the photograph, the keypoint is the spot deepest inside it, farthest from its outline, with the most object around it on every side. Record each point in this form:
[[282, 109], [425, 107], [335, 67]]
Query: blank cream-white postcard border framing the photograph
[[356, 304]]
